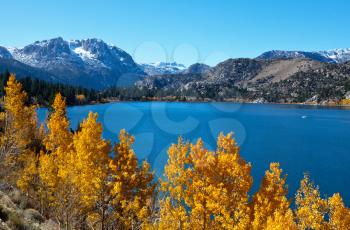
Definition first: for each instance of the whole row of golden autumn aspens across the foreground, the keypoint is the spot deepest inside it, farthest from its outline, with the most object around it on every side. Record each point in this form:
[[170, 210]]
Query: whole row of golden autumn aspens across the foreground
[[82, 181]]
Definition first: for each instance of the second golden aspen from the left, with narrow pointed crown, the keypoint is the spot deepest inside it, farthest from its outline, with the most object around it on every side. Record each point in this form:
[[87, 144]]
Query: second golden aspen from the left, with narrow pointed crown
[[55, 168]]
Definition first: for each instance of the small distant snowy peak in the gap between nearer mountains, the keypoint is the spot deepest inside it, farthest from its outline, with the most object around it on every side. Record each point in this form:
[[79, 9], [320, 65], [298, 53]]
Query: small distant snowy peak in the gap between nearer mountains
[[160, 68]]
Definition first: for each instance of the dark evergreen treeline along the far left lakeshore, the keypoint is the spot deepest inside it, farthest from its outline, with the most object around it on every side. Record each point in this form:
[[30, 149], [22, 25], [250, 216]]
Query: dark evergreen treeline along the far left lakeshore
[[43, 92]]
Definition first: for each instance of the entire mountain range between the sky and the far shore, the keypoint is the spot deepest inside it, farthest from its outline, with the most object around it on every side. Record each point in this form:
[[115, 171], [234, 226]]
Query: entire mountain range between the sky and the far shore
[[275, 76]]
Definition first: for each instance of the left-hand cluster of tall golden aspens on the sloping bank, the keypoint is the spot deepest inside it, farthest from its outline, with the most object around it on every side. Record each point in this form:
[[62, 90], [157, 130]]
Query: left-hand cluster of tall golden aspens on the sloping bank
[[78, 179]]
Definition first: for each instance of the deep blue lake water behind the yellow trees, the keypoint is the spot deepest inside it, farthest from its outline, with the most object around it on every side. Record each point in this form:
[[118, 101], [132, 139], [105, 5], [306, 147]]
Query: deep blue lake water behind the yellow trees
[[302, 138]]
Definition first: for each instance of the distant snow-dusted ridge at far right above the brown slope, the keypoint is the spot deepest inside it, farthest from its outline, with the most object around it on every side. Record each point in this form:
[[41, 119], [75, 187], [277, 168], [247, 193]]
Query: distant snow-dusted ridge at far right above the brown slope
[[330, 56]]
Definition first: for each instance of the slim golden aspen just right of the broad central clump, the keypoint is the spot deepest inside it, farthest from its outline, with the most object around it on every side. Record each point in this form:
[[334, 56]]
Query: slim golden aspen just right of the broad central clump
[[271, 197]]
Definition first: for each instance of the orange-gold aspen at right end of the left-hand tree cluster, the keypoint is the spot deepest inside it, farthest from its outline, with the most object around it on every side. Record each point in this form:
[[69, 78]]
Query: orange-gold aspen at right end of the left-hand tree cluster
[[133, 190]]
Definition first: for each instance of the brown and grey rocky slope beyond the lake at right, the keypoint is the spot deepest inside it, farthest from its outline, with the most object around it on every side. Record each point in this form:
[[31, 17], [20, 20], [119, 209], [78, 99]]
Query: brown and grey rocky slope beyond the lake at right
[[275, 80]]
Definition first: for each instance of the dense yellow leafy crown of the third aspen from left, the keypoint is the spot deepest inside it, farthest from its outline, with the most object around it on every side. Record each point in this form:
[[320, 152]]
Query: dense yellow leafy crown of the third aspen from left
[[90, 160]]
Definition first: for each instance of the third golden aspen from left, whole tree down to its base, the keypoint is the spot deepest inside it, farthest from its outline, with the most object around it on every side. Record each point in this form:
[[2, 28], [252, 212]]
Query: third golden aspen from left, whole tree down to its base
[[90, 163]]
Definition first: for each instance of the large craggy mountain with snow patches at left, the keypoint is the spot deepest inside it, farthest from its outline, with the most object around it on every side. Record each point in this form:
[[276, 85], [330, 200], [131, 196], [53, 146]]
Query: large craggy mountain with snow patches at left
[[89, 62]]
